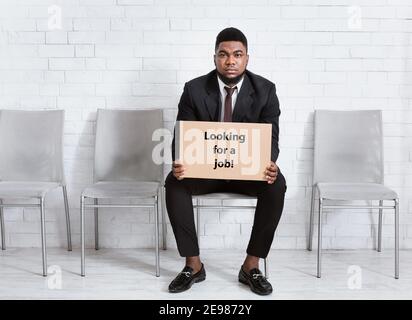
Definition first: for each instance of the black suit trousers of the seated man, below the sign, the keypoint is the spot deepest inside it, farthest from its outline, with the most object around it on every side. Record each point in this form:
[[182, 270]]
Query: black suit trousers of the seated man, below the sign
[[270, 201]]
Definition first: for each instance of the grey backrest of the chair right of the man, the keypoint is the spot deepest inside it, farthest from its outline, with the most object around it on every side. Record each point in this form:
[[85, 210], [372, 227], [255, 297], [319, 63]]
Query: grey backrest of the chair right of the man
[[348, 146]]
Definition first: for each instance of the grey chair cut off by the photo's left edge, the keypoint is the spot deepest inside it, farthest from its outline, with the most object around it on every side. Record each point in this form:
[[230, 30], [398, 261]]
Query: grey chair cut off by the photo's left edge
[[31, 163]]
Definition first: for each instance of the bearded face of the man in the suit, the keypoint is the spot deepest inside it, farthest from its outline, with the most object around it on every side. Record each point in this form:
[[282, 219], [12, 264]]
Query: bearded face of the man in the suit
[[231, 59]]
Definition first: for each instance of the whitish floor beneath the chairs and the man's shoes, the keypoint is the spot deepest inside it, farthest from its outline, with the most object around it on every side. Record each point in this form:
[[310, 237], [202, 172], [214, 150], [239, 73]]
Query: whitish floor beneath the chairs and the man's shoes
[[129, 274]]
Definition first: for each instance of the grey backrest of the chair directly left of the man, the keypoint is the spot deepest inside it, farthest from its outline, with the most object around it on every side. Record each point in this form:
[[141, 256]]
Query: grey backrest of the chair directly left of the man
[[124, 145]]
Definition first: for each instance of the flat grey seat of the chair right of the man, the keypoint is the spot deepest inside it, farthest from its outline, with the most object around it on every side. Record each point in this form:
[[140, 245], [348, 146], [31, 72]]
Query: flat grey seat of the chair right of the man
[[355, 191]]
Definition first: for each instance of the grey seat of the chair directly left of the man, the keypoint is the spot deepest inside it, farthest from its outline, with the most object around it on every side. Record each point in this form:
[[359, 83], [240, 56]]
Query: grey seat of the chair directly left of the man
[[122, 189]]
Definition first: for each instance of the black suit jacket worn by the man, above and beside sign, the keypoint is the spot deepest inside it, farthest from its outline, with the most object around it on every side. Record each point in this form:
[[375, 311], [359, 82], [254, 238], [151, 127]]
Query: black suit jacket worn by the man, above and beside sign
[[256, 102]]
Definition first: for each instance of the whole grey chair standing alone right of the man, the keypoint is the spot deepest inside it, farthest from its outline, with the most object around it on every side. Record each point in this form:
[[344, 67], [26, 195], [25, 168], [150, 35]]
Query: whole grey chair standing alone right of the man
[[348, 165]]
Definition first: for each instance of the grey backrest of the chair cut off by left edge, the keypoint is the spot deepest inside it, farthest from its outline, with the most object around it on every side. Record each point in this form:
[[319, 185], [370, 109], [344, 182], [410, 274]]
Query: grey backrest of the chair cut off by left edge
[[31, 145]]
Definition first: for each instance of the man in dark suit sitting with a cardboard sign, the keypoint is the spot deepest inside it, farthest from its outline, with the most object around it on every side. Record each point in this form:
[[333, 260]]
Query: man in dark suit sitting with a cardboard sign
[[228, 93]]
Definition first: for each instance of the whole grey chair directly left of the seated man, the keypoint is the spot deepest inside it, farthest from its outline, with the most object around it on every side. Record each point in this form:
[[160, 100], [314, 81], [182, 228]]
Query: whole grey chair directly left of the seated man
[[123, 167]]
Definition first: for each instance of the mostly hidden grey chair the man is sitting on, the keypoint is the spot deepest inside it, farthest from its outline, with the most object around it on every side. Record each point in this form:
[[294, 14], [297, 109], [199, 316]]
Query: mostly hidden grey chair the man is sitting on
[[223, 196]]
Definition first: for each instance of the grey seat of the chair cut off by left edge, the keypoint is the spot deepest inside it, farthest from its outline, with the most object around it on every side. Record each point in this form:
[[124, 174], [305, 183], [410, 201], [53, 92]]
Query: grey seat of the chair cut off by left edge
[[25, 189]]
